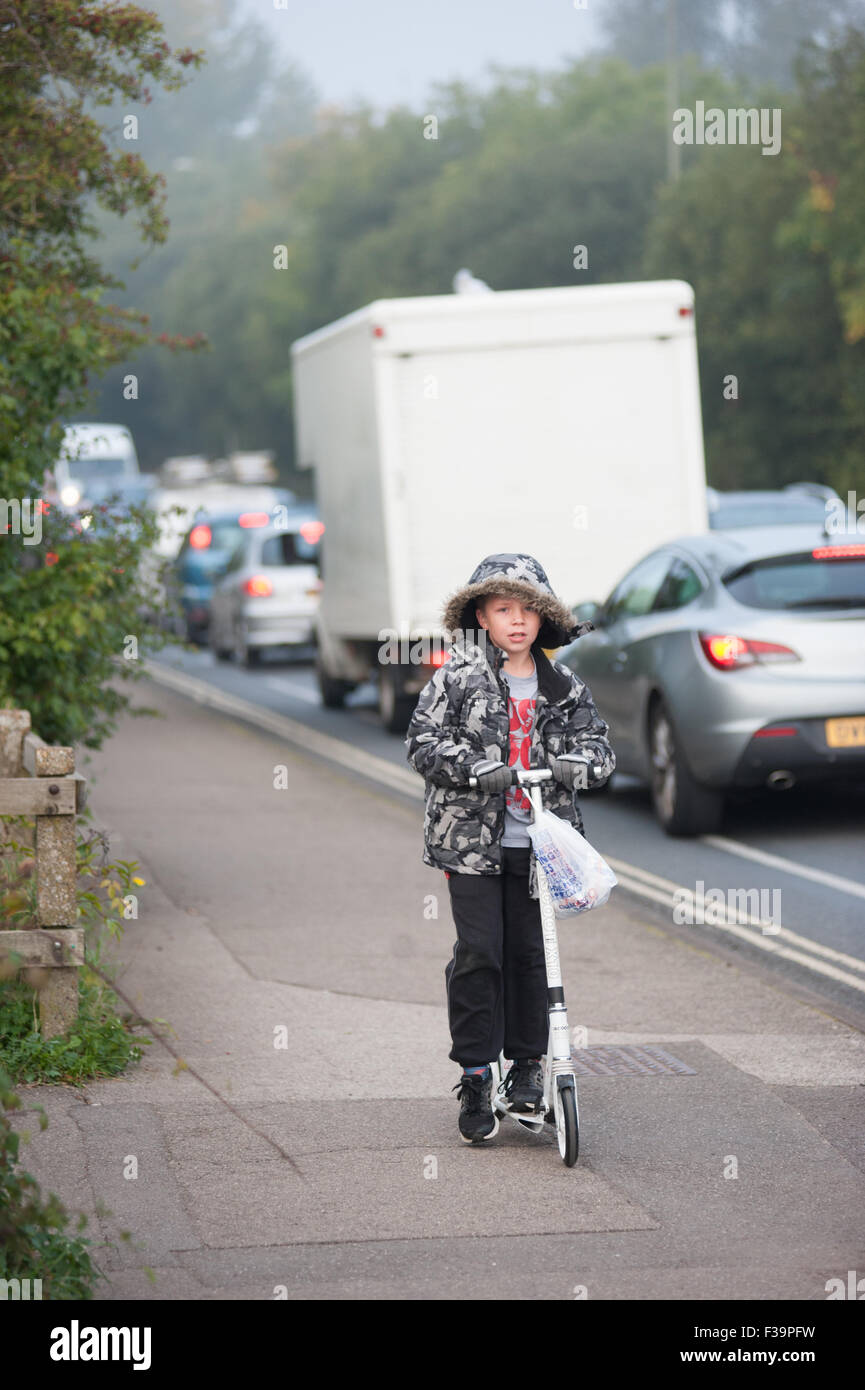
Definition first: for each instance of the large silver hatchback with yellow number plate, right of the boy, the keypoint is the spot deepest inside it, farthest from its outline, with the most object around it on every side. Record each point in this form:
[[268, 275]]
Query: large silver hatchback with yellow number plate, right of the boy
[[734, 660]]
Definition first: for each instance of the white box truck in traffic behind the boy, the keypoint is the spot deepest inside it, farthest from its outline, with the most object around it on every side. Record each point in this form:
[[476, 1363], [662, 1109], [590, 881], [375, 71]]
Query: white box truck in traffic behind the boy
[[561, 422]]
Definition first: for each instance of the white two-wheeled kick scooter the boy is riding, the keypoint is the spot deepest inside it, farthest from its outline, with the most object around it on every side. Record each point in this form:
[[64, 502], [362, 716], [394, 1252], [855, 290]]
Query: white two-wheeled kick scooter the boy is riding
[[560, 1103]]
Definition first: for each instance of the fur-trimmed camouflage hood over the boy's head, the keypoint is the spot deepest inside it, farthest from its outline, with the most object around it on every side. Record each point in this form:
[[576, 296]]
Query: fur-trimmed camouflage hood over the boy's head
[[521, 578]]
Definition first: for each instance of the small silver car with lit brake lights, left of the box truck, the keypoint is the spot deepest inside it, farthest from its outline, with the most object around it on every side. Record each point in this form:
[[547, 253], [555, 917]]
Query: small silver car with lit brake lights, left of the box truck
[[269, 591]]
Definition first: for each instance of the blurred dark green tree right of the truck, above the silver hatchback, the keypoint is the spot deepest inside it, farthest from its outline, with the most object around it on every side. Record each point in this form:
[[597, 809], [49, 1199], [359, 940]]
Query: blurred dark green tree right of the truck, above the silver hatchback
[[773, 247]]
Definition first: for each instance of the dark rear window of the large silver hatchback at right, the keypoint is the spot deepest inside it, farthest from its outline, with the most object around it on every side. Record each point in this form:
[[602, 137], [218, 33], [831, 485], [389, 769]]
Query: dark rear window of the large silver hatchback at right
[[800, 582]]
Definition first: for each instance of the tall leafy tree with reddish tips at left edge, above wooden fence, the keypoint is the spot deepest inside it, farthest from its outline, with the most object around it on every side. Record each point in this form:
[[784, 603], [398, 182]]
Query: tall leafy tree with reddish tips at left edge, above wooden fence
[[67, 601]]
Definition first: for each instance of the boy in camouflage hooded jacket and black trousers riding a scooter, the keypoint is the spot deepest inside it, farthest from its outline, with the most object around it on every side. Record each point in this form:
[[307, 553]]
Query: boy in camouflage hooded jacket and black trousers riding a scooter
[[499, 701]]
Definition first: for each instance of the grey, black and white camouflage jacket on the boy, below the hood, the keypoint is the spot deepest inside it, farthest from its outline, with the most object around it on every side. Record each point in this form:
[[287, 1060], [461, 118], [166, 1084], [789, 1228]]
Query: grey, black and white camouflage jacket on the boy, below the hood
[[462, 718]]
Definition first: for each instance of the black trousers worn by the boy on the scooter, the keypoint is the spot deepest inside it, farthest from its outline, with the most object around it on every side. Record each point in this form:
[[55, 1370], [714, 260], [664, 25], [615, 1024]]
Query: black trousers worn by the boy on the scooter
[[497, 976]]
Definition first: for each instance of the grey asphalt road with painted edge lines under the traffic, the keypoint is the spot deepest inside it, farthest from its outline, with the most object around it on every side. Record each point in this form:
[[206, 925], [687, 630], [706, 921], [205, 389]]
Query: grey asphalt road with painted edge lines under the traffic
[[802, 851]]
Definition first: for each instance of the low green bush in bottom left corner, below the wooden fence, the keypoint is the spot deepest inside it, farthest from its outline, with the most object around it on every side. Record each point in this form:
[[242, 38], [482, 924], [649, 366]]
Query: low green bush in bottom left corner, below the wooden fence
[[34, 1238]]
